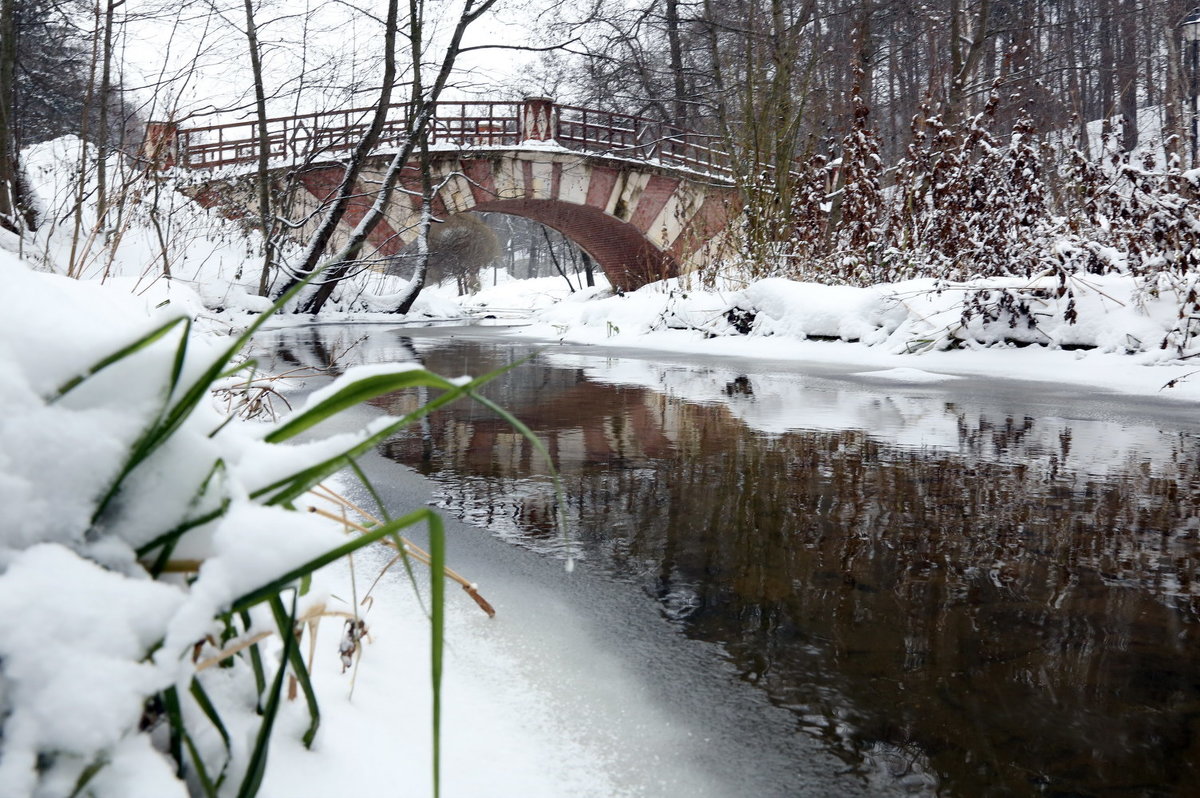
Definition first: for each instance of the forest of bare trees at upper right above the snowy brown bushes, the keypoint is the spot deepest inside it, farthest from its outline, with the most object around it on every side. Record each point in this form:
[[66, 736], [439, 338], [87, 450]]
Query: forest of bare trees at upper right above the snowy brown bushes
[[778, 75]]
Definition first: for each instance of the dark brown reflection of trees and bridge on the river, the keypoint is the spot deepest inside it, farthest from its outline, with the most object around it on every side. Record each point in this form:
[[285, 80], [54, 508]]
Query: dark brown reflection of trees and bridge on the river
[[1023, 623]]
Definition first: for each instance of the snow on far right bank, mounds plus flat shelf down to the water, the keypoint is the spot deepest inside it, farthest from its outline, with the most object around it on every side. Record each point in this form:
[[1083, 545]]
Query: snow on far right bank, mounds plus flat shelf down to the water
[[914, 326]]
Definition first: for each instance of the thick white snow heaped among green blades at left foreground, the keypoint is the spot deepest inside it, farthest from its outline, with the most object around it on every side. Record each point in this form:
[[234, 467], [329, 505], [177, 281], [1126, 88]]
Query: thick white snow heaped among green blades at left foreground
[[88, 638]]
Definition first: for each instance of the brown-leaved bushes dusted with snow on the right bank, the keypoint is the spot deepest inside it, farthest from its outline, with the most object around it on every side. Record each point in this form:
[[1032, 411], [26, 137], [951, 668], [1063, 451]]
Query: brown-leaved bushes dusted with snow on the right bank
[[970, 205]]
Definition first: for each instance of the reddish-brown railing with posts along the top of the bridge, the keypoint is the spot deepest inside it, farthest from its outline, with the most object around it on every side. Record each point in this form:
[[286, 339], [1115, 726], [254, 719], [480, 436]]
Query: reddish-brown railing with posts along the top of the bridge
[[460, 125]]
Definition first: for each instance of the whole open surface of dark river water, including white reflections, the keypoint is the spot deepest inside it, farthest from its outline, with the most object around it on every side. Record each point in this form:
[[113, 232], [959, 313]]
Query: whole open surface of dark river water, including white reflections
[[963, 590]]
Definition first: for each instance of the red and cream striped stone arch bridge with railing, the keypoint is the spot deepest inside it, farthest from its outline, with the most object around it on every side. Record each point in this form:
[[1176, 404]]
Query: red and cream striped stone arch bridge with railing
[[644, 200]]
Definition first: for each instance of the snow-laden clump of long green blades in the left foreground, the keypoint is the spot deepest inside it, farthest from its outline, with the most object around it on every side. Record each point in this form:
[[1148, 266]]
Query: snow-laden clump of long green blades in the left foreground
[[151, 544]]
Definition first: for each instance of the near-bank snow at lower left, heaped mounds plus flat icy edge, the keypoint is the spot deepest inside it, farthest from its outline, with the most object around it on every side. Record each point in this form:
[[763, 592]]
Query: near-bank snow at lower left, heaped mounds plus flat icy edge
[[533, 709]]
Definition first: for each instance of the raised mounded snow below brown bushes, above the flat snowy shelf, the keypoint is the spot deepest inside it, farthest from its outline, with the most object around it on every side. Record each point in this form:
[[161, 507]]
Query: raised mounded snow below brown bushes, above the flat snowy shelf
[[1111, 314]]
